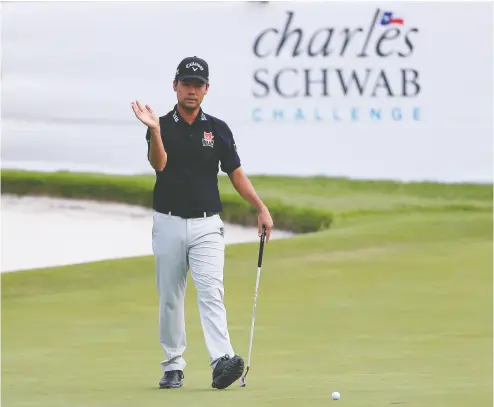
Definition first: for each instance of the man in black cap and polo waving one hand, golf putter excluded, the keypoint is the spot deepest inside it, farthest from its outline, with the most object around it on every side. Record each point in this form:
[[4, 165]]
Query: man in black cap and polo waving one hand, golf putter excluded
[[186, 148]]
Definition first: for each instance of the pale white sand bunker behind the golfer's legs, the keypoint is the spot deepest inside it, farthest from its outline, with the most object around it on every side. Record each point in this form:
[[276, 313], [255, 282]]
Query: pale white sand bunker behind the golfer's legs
[[42, 232]]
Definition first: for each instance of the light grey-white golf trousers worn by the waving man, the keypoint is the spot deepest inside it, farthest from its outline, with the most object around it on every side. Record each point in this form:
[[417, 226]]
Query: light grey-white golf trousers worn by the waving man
[[198, 244]]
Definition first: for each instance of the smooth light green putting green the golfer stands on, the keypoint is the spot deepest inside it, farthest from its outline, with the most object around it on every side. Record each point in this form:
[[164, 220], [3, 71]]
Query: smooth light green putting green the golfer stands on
[[390, 307]]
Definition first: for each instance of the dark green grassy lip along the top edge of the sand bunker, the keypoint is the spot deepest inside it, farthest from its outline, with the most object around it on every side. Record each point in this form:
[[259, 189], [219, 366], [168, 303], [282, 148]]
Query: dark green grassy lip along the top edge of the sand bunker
[[138, 190]]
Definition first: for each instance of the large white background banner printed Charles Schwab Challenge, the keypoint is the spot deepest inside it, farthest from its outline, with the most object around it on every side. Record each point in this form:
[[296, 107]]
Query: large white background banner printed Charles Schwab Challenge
[[369, 90]]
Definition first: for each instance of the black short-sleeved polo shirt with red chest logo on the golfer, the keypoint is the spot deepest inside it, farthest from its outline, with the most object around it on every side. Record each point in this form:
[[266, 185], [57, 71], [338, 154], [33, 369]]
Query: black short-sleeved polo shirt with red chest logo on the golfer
[[196, 152]]
